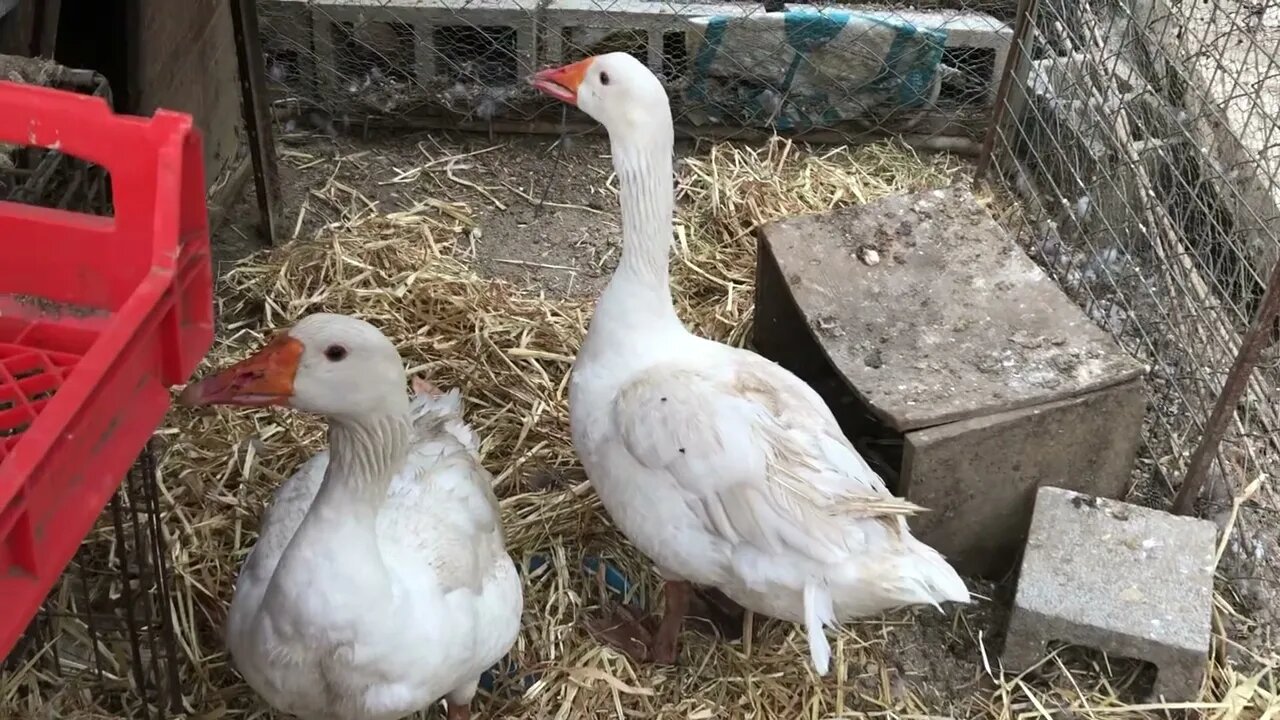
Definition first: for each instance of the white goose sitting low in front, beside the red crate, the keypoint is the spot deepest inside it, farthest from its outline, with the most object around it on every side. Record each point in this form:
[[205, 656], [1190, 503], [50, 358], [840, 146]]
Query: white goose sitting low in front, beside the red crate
[[381, 582]]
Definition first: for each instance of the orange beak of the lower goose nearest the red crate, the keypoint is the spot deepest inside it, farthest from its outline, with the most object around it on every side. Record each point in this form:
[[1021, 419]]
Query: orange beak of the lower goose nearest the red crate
[[259, 381]]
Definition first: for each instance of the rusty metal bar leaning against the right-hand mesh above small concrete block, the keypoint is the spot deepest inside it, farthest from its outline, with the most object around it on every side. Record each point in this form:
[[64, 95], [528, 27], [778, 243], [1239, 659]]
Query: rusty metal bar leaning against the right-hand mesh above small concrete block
[[1260, 335]]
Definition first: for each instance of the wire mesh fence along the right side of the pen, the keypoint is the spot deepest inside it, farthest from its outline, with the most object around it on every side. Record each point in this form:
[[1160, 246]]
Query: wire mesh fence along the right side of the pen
[[1137, 136]]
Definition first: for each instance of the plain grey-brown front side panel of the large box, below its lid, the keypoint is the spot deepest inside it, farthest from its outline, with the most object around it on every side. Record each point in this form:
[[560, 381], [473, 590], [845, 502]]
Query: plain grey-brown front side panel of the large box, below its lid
[[980, 477]]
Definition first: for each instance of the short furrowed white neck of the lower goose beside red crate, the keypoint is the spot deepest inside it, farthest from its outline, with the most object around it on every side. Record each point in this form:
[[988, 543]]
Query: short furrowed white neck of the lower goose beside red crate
[[337, 541]]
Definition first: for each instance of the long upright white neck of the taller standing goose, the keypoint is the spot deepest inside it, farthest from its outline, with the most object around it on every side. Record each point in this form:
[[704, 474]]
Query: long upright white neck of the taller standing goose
[[642, 280]]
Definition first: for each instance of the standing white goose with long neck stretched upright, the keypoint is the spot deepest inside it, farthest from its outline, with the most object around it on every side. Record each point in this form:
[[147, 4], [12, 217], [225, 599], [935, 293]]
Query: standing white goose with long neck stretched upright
[[721, 467]]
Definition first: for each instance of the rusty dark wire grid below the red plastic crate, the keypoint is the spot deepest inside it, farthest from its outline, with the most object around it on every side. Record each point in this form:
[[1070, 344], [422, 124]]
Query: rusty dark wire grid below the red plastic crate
[[107, 634]]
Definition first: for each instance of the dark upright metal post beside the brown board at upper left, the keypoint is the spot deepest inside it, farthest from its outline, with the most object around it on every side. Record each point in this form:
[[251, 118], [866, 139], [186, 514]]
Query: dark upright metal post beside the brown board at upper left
[[258, 119]]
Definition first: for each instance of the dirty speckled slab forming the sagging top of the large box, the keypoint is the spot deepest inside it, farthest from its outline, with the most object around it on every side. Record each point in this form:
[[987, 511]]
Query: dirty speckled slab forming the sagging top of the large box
[[932, 313]]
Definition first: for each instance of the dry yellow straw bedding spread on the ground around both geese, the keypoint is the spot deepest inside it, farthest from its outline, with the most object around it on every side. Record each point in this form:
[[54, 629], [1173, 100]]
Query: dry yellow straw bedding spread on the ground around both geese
[[511, 350]]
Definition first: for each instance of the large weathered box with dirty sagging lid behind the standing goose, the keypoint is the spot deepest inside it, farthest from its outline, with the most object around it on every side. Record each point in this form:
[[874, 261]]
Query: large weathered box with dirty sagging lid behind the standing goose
[[929, 330]]
